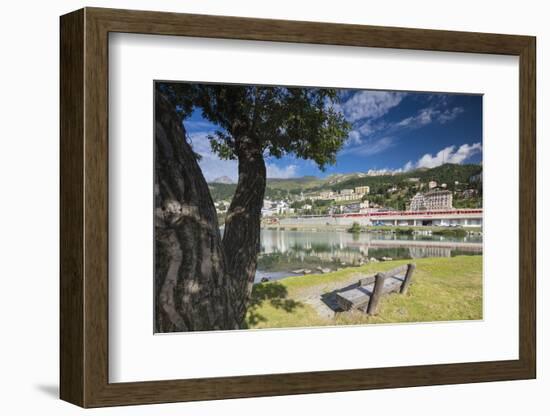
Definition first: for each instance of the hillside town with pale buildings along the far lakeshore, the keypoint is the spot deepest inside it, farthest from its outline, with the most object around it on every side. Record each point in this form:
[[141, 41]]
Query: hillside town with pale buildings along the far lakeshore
[[410, 201]]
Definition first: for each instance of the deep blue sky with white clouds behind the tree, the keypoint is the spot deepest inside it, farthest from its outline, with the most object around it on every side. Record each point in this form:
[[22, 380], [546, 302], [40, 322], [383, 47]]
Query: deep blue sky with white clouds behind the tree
[[391, 131]]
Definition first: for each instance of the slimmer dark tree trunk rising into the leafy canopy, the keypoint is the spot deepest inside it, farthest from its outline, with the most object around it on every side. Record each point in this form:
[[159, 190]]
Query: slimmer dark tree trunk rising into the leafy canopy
[[241, 239]]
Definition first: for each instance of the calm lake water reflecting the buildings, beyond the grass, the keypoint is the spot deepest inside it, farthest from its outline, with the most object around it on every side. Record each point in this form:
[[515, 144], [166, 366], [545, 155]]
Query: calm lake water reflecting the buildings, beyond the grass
[[285, 251]]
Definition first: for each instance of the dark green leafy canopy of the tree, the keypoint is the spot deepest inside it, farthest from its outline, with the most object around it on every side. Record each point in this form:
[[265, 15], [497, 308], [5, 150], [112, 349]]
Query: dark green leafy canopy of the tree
[[279, 120]]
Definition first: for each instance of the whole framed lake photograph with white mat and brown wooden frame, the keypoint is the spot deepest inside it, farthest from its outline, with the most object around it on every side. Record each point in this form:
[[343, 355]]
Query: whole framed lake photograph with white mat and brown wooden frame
[[256, 207]]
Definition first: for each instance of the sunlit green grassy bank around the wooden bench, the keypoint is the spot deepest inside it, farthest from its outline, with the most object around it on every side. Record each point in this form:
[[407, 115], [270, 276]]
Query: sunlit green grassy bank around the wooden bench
[[444, 289]]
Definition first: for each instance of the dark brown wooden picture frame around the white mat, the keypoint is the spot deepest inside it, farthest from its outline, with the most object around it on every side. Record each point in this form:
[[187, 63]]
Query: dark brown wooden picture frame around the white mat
[[84, 207]]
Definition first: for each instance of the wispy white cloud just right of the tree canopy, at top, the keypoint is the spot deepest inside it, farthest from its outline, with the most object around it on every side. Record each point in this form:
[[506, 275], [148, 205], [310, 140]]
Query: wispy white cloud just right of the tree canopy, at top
[[370, 104]]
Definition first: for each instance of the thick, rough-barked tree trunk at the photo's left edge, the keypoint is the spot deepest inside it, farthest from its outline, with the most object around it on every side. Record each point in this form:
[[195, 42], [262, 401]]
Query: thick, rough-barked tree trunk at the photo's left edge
[[193, 289]]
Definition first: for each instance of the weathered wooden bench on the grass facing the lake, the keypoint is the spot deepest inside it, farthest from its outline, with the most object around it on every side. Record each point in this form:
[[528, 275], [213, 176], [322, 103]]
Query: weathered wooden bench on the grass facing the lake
[[366, 294]]
